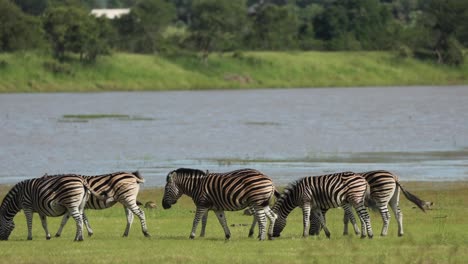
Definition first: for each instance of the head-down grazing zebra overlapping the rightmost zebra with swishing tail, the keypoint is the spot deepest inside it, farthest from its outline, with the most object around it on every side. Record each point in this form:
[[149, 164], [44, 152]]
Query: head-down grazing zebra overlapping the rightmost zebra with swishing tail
[[316, 193]]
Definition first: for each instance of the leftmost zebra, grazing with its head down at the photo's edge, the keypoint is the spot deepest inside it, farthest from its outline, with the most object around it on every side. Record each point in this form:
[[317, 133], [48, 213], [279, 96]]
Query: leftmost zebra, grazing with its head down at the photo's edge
[[47, 196]]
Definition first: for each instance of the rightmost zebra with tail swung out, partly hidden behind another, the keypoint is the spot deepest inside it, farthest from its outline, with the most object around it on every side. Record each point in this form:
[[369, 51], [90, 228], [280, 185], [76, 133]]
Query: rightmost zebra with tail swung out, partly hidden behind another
[[384, 190]]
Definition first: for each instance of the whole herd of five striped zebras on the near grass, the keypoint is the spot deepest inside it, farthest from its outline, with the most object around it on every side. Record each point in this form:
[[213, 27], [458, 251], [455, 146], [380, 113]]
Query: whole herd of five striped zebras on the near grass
[[68, 195]]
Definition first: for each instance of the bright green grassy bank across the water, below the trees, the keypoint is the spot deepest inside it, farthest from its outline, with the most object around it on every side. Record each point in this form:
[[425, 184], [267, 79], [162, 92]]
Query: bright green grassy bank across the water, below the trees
[[36, 72]]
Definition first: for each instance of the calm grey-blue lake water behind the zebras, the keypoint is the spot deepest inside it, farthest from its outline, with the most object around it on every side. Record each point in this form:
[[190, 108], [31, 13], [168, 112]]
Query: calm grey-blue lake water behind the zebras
[[420, 133]]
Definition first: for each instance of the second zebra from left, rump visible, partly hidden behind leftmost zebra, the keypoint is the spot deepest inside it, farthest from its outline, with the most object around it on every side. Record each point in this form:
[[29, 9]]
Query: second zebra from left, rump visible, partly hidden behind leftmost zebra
[[123, 187]]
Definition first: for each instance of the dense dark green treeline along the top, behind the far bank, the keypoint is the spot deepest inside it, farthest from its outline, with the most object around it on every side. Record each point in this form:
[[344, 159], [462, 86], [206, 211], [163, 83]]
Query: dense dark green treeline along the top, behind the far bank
[[427, 29]]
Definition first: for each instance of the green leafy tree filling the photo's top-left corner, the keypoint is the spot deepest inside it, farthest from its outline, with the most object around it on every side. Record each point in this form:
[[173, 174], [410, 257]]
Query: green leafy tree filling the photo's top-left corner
[[17, 30]]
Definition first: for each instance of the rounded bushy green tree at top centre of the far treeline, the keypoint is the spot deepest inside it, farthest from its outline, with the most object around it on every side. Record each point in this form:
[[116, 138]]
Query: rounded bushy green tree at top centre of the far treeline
[[217, 25]]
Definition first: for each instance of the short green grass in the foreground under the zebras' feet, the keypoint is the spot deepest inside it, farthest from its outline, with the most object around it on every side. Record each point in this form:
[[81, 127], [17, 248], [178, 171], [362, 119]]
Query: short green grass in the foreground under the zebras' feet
[[438, 236]]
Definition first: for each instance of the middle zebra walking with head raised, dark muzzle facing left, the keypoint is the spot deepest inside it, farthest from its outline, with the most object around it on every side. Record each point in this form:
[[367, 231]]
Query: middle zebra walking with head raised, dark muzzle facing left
[[231, 191]]
